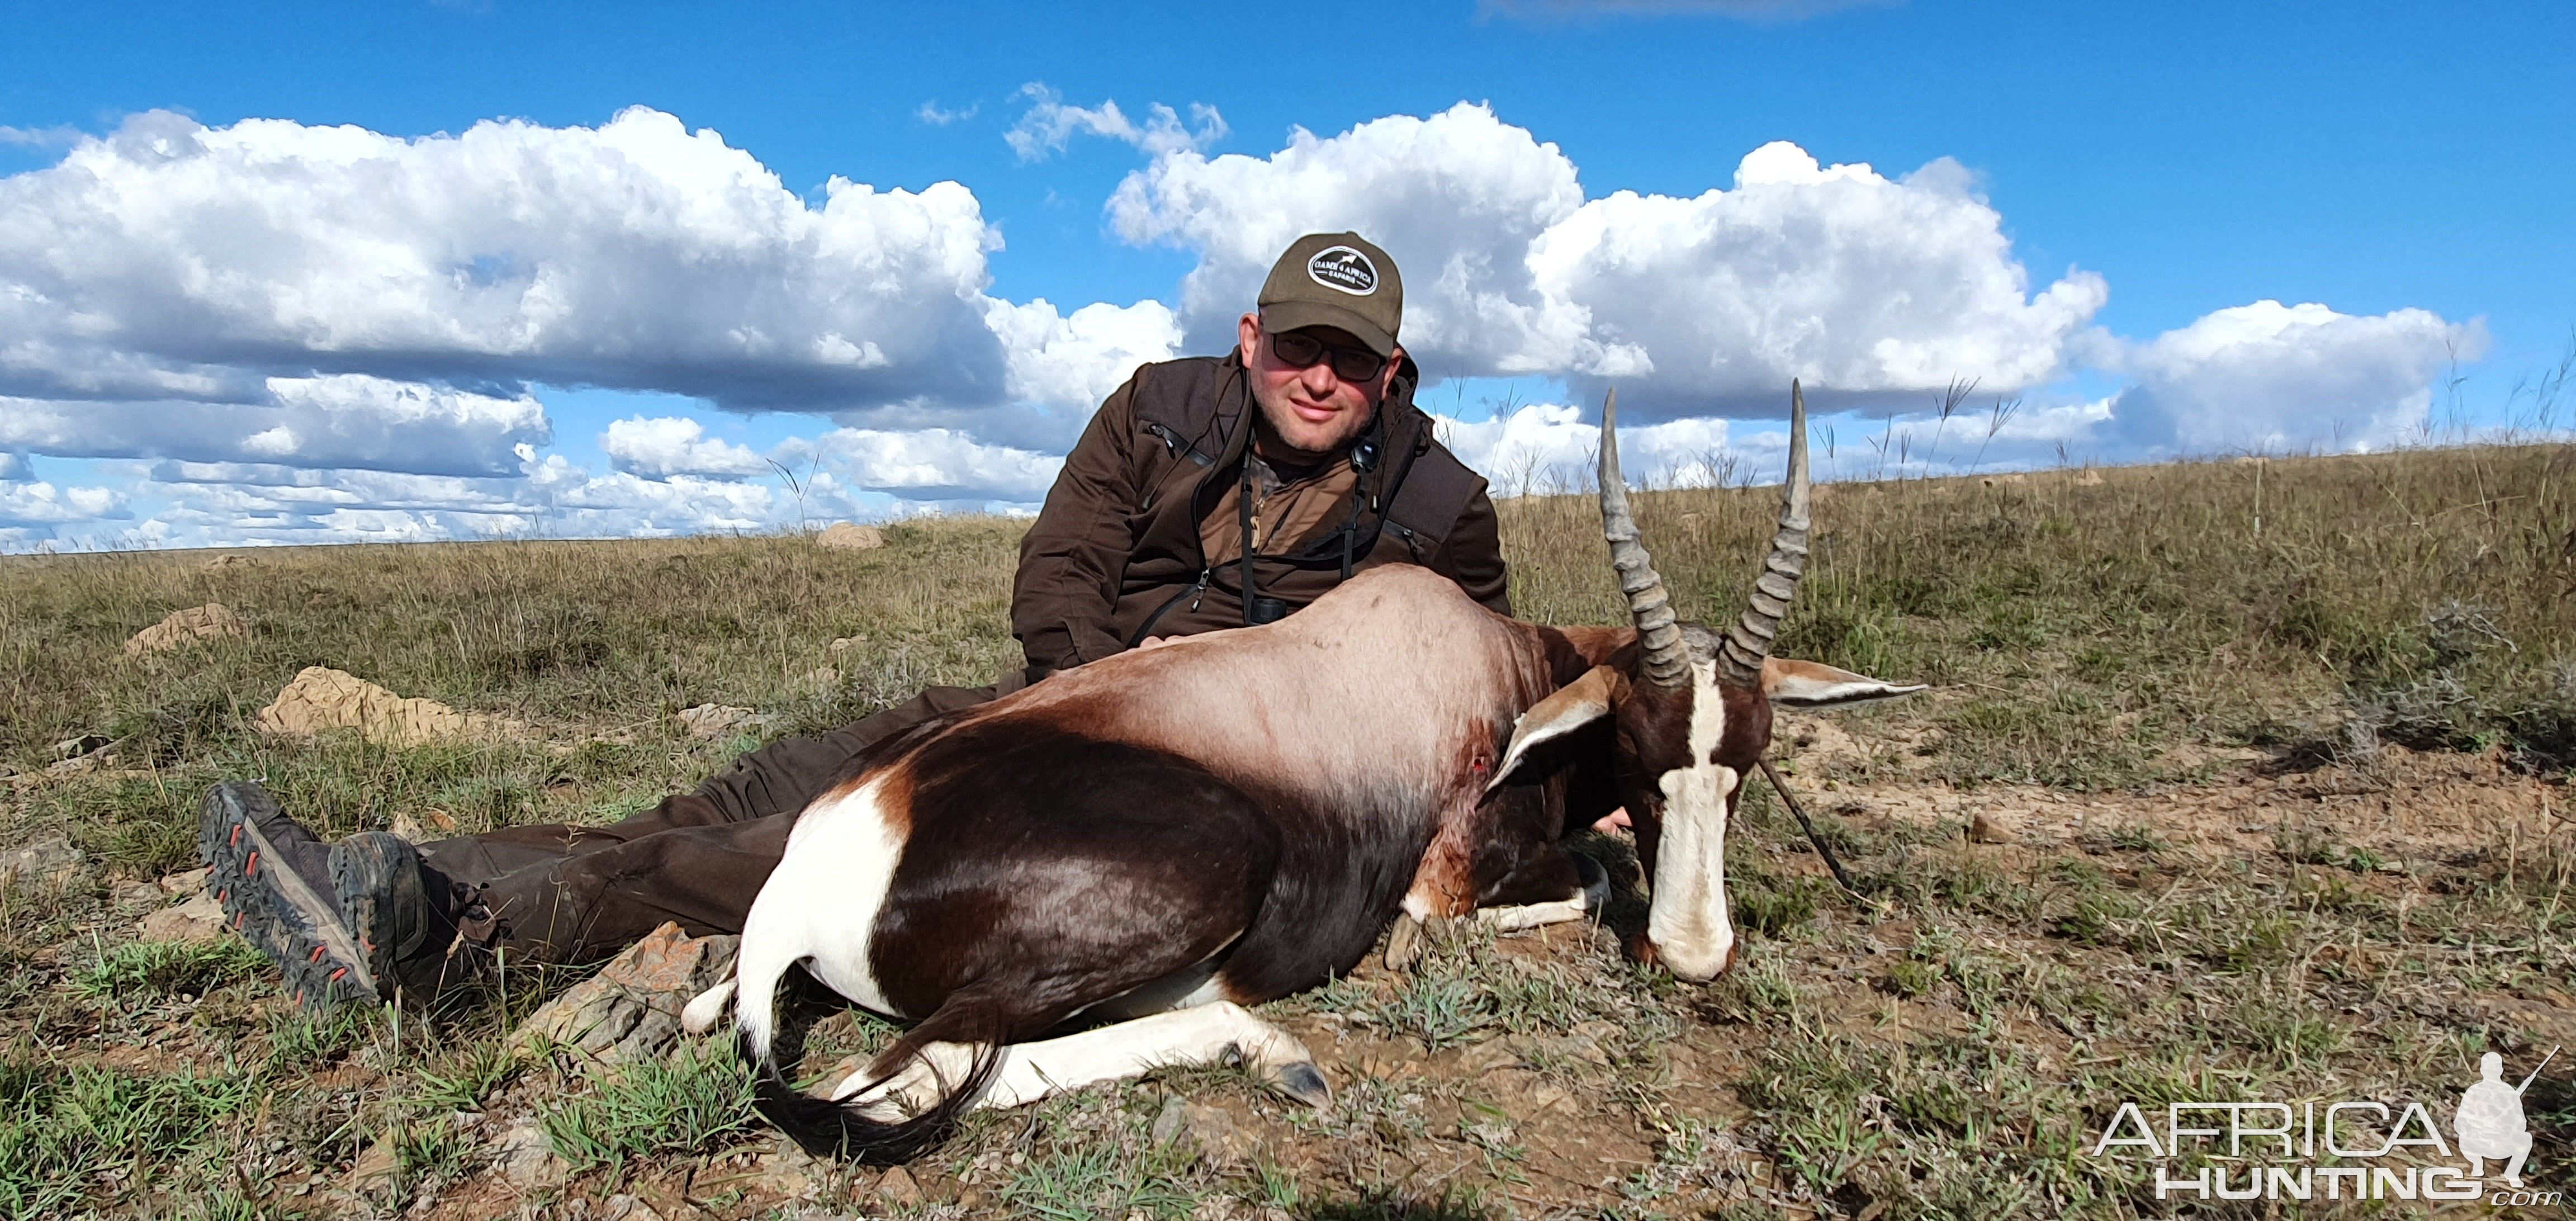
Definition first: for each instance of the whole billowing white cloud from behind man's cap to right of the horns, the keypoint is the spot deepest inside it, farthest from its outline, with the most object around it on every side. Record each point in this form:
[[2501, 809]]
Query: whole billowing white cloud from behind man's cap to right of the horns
[[1843, 277]]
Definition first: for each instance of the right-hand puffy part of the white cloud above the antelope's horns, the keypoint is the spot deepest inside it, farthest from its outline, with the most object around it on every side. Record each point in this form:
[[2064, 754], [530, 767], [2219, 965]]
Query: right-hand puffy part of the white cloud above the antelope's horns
[[1841, 277]]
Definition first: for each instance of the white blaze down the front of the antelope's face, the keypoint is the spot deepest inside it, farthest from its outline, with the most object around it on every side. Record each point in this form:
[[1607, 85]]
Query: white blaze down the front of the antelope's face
[[1689, 918]]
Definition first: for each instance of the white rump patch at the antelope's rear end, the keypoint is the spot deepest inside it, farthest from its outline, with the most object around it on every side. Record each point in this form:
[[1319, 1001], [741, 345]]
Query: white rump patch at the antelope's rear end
[[826, 895]]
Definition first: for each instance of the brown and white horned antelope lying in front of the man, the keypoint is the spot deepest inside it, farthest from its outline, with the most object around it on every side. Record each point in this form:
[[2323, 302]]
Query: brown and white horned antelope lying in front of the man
[[1160, 838]]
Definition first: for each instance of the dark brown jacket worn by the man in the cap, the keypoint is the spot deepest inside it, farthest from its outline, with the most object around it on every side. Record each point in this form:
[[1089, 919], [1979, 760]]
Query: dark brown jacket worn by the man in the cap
[[1117, 550]]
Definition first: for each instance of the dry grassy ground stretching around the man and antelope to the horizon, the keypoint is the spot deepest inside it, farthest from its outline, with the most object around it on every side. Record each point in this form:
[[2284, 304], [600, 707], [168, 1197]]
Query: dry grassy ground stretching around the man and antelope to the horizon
[[2268, 761]]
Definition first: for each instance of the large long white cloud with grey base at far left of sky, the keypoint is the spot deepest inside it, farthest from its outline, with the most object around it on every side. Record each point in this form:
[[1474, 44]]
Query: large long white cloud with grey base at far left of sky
[[174, 261]]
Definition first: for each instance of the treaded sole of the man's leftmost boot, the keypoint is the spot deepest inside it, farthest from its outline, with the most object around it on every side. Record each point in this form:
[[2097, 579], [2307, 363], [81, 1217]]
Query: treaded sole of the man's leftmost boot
[[269, 905]]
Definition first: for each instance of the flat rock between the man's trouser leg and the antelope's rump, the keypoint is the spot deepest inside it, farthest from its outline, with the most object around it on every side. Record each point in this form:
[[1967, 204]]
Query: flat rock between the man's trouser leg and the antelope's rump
[[632, 1008]]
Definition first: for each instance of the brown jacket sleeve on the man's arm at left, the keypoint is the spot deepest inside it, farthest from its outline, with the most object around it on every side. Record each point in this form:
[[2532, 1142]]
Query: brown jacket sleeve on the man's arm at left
[[1075, 555]]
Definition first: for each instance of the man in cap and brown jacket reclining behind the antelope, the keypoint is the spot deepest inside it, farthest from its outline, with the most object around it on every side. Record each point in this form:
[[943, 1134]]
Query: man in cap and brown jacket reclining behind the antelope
[[1207, 493]]
